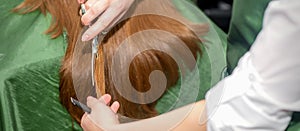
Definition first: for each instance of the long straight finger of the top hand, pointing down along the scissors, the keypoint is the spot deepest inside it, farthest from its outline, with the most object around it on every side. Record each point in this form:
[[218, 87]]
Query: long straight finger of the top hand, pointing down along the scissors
[[102, 23]]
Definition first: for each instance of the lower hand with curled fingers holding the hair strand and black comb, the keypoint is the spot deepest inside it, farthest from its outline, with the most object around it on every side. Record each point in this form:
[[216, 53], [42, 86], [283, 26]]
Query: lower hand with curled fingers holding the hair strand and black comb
[[102, 116]]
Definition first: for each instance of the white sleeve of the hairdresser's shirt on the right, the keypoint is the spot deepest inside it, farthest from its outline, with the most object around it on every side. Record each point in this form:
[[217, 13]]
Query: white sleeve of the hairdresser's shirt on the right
[[264, 89]]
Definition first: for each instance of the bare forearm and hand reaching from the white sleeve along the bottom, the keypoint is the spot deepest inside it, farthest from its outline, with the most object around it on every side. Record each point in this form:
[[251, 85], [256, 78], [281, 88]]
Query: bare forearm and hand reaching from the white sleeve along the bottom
[[104, 118]]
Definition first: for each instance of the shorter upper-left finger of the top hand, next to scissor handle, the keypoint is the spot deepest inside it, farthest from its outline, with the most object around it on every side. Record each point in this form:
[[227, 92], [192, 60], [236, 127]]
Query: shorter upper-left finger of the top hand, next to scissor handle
[[94, 11]]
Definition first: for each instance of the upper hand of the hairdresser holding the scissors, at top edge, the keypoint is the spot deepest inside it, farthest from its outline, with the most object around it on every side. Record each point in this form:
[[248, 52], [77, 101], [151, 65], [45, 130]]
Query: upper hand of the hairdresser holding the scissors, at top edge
[[109, 12]]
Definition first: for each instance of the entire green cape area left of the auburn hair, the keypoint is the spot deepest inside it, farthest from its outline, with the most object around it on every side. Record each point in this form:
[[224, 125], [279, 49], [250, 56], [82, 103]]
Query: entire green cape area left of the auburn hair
[[29, 64]]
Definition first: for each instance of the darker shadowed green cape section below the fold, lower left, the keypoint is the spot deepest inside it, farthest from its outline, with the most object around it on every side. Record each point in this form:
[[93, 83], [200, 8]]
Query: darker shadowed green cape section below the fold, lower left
[[32, 99]]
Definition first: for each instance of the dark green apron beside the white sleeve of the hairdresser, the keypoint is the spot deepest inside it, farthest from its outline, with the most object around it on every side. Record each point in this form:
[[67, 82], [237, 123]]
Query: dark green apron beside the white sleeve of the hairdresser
[[246, 23]]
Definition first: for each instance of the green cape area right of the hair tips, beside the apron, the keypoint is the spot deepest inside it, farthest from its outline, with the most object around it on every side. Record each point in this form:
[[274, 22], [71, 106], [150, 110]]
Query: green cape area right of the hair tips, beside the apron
[[210, 65]]
